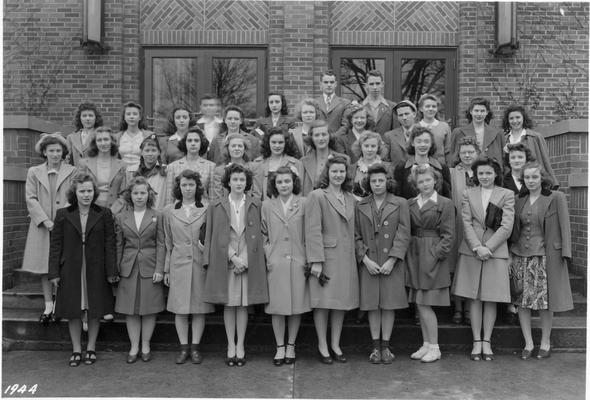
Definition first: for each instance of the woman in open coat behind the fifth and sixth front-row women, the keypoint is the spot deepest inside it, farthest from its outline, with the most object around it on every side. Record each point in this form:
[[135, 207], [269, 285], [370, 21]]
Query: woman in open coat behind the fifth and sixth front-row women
[[321, 145]]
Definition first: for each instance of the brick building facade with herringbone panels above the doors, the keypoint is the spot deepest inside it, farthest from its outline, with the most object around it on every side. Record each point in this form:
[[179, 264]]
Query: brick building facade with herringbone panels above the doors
[[47, 73]]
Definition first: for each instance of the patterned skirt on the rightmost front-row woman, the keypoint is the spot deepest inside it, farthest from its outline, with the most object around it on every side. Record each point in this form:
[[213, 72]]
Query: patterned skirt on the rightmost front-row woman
[[530, 275]]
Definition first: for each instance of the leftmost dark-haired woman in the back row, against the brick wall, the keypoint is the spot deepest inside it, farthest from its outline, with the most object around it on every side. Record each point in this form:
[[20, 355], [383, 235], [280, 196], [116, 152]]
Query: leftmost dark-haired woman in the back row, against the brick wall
[[86, 120]]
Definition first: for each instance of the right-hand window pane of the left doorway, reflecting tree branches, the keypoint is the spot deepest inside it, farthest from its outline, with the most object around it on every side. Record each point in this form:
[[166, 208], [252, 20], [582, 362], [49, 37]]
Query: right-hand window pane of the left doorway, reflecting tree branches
[[235, 82]]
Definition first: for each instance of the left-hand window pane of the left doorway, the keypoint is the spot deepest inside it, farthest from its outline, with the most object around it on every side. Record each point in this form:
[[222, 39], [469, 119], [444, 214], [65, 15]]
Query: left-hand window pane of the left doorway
[[174, 85]]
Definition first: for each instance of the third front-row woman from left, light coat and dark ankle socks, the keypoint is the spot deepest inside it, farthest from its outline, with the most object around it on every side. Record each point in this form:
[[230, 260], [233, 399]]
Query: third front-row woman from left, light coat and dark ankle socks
[[184, 263]]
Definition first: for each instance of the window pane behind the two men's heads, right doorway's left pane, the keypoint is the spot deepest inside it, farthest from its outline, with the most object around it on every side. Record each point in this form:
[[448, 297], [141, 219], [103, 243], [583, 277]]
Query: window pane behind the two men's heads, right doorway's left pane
[[353, 76]]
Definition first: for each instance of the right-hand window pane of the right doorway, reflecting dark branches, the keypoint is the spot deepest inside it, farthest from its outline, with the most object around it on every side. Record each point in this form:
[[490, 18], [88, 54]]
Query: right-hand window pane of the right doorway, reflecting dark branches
[[420, 76]]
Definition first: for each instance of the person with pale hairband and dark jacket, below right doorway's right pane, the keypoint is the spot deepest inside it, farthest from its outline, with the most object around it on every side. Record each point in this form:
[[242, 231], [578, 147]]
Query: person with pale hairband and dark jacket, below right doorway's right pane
[[397, 139]]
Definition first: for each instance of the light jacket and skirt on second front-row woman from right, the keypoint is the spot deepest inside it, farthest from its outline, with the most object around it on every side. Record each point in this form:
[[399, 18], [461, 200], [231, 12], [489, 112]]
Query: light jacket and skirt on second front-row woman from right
[[484, 280]]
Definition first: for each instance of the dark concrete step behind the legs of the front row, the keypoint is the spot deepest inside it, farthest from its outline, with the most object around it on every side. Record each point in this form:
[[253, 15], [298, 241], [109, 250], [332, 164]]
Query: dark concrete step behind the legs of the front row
[[22, 331]]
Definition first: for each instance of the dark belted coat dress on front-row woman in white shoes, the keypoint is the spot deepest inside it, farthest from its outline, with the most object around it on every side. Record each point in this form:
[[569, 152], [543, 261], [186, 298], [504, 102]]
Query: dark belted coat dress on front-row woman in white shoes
[[432, 229]]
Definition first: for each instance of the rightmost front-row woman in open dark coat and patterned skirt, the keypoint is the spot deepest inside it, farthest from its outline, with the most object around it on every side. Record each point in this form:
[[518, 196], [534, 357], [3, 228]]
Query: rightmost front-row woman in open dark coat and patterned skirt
[[541, 248]]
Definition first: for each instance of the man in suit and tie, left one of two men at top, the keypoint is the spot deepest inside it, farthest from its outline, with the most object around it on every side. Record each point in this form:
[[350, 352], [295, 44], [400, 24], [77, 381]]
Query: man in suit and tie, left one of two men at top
[[332, 107]]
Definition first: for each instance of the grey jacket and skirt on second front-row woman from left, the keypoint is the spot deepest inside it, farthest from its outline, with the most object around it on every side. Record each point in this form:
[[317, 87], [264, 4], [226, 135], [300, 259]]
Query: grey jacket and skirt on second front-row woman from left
[[136, 255]]
